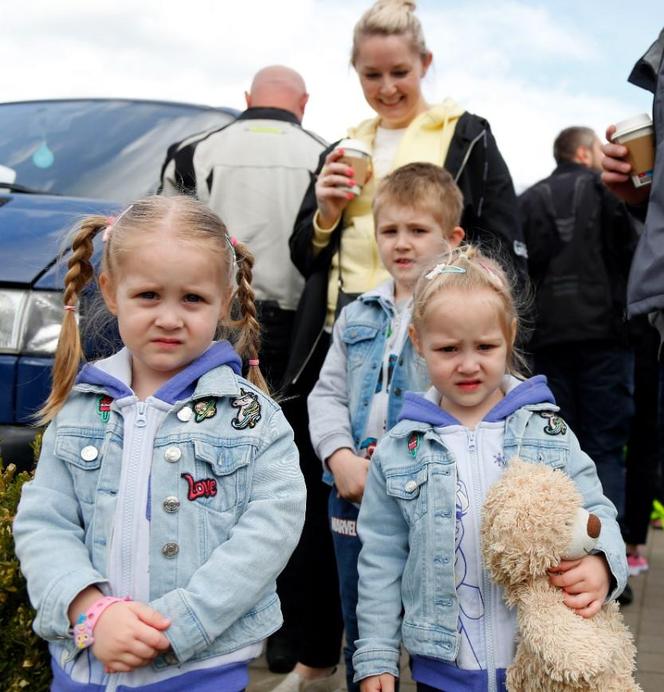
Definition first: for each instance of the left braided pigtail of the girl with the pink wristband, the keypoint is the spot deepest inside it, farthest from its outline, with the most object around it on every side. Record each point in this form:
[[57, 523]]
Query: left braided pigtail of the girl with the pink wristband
[[69, 352]]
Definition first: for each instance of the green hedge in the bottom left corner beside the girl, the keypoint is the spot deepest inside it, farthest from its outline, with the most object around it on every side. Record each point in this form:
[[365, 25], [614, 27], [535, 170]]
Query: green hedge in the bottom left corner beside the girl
[[24, 658]]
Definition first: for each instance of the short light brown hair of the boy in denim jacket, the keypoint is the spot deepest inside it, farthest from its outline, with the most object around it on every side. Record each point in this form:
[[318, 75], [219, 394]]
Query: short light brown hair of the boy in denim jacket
[[418, 185]]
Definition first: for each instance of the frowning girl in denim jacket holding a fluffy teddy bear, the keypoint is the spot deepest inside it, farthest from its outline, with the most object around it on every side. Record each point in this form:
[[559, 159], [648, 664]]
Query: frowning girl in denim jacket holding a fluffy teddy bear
[[421, 579]]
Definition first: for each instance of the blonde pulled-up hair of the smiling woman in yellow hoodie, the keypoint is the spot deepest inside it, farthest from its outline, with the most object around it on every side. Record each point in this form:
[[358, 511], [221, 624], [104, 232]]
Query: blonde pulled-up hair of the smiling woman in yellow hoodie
[[390, 18]]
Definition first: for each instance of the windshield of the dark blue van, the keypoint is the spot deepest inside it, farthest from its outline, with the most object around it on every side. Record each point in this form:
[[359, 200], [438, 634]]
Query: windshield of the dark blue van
[[103, 149]]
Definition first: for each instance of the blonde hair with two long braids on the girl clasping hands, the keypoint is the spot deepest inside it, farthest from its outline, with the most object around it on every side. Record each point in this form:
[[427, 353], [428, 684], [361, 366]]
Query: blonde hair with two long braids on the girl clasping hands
[[189, 220]]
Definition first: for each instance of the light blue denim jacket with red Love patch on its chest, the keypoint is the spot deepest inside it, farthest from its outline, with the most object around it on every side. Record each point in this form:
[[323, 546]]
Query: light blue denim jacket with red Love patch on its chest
[[215, 548]]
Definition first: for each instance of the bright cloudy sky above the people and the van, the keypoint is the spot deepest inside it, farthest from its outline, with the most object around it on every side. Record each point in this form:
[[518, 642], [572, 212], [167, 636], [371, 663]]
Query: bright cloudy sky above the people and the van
[[530, 67]]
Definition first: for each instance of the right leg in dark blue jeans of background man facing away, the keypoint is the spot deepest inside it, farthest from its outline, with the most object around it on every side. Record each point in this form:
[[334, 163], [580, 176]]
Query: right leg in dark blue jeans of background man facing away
[[606, 386]]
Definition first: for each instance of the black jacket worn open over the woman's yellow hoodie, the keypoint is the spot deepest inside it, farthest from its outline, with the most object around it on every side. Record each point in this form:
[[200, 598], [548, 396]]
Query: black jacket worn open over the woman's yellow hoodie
[[490, 215]]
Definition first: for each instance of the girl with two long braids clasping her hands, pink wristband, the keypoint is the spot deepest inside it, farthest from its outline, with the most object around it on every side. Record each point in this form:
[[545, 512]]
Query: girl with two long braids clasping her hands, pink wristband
[[168, 495]]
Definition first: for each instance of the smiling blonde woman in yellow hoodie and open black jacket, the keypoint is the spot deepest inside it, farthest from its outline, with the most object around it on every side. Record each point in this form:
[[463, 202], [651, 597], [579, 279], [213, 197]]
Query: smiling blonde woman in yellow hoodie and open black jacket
[[391, 59]]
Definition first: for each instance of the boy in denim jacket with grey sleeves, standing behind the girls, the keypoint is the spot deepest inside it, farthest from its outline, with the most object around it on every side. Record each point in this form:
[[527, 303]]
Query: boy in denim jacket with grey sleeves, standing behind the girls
[[371, 362]]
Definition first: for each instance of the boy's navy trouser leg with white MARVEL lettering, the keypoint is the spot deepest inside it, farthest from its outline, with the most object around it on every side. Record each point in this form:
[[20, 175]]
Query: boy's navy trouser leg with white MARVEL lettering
[[343, 523]]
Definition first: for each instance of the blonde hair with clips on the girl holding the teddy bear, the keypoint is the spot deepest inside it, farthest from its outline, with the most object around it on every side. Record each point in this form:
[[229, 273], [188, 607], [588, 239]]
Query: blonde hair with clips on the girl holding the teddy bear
[[475, 271]]
